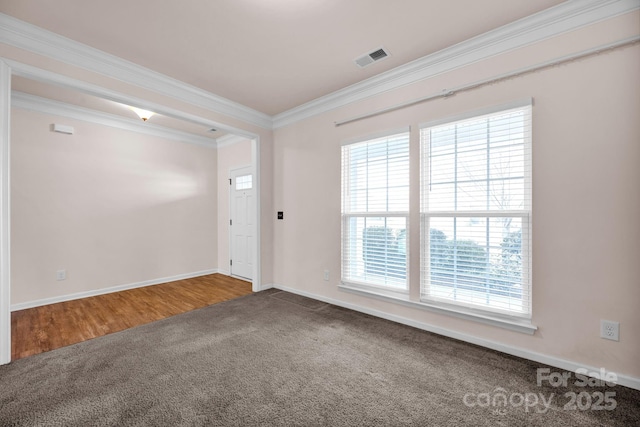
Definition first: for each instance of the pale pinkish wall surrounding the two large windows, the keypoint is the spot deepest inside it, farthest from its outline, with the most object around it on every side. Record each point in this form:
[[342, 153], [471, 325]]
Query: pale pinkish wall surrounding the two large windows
[[586, 175]]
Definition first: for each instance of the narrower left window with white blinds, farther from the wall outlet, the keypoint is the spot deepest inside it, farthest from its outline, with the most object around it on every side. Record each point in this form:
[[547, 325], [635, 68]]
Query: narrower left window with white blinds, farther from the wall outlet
[[375, 212]]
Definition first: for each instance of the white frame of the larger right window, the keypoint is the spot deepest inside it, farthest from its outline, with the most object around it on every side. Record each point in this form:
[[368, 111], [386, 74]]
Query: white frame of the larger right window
[[525, 215]]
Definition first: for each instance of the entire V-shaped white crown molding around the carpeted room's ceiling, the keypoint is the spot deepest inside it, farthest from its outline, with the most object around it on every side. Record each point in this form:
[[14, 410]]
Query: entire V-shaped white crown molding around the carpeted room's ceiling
[[568, 16]]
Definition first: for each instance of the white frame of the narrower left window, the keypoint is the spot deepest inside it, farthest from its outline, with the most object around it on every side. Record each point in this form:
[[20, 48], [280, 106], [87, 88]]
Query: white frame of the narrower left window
[[348, 214]]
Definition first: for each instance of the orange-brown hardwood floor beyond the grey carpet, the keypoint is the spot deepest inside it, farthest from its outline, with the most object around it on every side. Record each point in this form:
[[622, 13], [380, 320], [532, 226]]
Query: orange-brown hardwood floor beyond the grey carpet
[[40, 329]]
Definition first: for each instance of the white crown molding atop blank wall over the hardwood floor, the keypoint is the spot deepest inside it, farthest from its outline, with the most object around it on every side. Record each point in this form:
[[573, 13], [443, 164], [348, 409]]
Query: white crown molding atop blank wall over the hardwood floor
[[38, 104]]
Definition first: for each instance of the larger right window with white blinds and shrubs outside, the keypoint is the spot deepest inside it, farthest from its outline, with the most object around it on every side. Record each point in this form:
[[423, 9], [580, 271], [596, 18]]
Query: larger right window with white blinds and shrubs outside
[[476, 212]]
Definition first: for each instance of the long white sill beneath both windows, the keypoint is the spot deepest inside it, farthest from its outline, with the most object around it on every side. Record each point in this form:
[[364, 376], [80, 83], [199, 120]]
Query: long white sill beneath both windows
[[513, 324]]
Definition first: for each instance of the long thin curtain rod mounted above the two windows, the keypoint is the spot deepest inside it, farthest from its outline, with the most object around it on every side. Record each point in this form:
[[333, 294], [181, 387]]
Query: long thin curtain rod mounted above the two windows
[[450, 92]]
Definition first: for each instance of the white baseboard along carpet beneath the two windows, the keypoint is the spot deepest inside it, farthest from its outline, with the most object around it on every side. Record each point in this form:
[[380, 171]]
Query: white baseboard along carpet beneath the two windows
[[564, 364]]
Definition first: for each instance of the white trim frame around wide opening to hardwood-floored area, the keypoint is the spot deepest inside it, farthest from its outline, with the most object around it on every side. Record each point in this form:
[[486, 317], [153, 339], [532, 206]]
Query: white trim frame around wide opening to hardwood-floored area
[[10, 67]]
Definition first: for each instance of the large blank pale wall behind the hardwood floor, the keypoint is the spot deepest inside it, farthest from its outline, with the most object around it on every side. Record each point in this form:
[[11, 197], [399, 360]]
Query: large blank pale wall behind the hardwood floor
[[111, 207]]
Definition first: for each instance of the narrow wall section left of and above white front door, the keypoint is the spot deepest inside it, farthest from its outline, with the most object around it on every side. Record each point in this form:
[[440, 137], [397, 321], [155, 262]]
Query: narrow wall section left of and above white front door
[[229, 157]]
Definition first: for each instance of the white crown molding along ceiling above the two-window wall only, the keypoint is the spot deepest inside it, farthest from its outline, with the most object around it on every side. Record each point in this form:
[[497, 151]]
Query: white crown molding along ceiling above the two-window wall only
[[565, 17]]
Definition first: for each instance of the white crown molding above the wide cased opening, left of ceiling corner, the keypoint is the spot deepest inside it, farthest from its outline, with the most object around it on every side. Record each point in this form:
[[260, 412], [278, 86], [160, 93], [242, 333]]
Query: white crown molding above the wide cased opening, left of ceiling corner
[[22, 35]]
